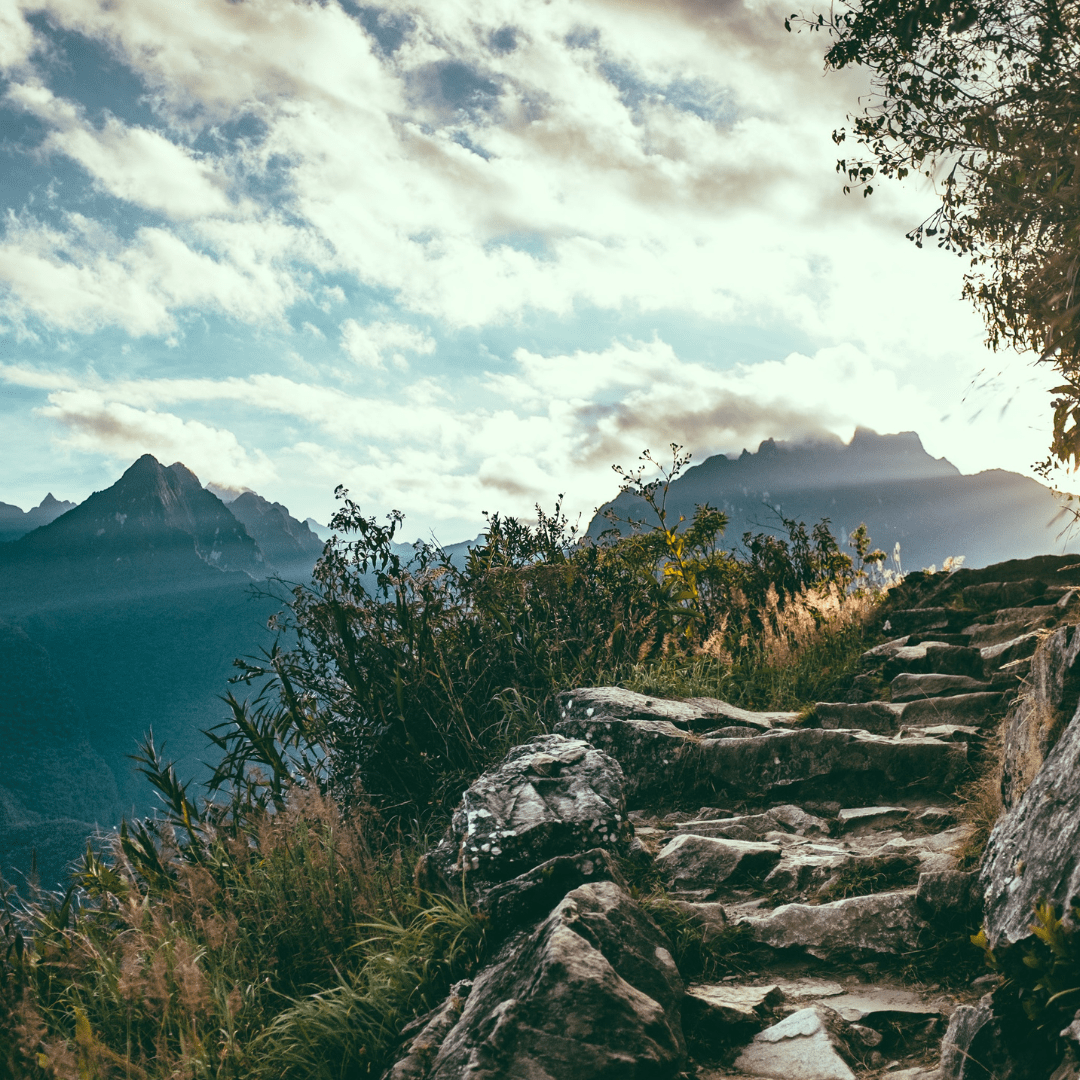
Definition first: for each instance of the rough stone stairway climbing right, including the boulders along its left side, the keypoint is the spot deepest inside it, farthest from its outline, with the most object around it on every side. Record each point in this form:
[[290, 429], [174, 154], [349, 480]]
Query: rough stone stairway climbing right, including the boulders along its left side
[[825, 861]]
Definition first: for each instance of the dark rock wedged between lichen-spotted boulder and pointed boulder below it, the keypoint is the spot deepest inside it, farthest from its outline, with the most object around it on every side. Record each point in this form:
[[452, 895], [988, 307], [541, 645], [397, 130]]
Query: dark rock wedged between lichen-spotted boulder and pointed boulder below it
[[524, 899]]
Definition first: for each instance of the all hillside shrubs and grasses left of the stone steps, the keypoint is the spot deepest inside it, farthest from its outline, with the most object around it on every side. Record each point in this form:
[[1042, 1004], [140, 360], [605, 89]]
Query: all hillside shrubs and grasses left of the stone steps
[[271, 926]]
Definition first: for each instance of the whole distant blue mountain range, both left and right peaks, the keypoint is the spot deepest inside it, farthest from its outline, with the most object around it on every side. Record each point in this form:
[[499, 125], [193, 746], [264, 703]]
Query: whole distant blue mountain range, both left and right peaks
[[125, 613]]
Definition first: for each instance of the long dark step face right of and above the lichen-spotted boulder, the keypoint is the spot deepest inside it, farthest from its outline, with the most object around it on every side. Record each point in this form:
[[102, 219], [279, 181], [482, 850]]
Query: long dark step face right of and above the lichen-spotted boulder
[[665, 765]]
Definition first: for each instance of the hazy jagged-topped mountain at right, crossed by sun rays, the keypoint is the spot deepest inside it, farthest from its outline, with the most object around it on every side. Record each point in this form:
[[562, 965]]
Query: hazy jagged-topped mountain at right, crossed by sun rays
[[888, 482]]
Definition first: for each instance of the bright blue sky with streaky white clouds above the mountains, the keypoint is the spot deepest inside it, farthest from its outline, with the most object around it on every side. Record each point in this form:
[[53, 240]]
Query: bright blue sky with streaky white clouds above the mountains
[[458, 256]]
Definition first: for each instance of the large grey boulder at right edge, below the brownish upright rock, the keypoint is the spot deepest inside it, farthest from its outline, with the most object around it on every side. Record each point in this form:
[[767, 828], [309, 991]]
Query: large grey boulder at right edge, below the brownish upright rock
[[1035, 848]]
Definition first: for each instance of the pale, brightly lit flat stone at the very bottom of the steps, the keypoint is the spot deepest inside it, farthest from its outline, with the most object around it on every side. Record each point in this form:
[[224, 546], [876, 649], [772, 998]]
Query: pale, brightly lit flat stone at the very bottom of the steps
[[802, 1047]]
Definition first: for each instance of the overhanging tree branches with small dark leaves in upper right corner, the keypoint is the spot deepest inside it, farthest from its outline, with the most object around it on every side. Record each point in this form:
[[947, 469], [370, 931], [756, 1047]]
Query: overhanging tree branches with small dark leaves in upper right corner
[[985, 100]]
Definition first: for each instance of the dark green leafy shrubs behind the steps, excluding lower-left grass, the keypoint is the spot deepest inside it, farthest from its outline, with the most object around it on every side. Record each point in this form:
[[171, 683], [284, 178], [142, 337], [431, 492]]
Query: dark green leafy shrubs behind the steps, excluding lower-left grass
[[411, 676]]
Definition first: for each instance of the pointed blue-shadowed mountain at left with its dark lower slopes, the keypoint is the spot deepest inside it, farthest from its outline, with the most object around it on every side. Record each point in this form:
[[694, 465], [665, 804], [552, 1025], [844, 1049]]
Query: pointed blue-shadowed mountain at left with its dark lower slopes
[[142, 597]]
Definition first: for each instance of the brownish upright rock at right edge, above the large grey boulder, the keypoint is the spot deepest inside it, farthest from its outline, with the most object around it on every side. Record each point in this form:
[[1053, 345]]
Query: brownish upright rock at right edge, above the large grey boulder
[[1038, 714]]
